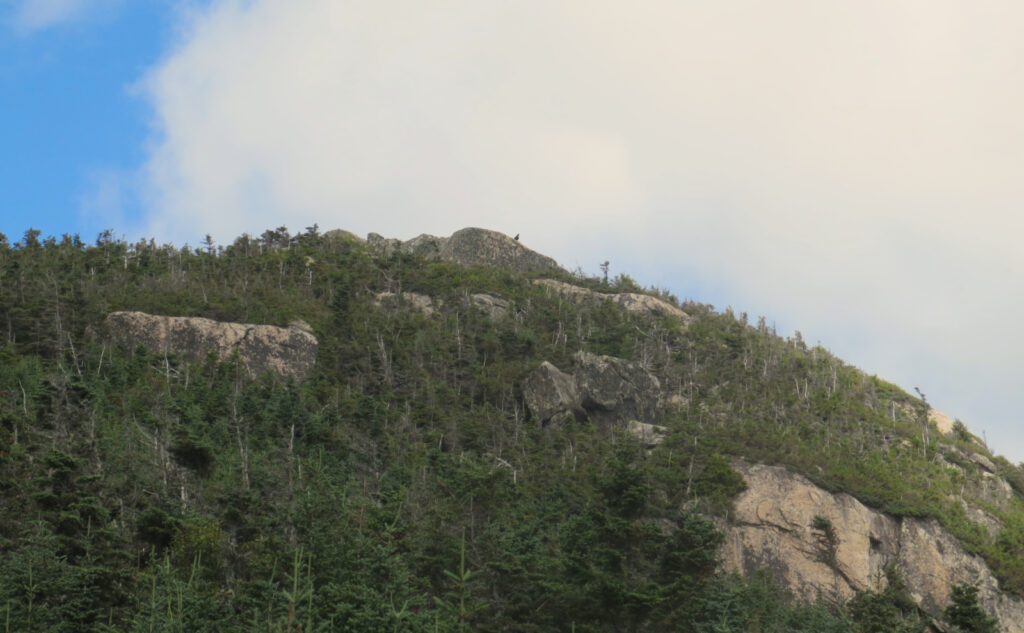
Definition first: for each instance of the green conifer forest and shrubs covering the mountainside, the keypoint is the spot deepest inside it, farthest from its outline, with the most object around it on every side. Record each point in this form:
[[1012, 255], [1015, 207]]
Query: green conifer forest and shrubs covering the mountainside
[[405, 488]]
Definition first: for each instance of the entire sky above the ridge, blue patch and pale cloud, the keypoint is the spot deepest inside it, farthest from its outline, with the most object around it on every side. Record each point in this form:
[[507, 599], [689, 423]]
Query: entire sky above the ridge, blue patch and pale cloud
[[850, 171]]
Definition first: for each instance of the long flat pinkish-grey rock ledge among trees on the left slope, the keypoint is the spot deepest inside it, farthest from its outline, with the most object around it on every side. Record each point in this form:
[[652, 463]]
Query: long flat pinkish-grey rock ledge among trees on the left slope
[[285, 352]]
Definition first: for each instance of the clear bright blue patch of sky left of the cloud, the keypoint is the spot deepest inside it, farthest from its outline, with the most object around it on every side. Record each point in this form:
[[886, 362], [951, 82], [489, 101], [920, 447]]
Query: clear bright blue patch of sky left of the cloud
[[71, 115]]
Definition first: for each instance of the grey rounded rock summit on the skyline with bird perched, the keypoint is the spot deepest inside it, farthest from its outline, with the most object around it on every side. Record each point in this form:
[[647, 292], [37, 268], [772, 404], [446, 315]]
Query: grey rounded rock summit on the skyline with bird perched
[[468, 247]]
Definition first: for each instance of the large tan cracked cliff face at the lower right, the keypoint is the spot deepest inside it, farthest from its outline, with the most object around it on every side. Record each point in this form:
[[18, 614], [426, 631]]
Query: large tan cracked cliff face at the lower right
[[774, 531]]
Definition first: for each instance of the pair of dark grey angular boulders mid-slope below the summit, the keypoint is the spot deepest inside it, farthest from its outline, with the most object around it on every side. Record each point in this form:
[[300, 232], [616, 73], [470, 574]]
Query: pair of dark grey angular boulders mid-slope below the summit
[[608, 390]]
